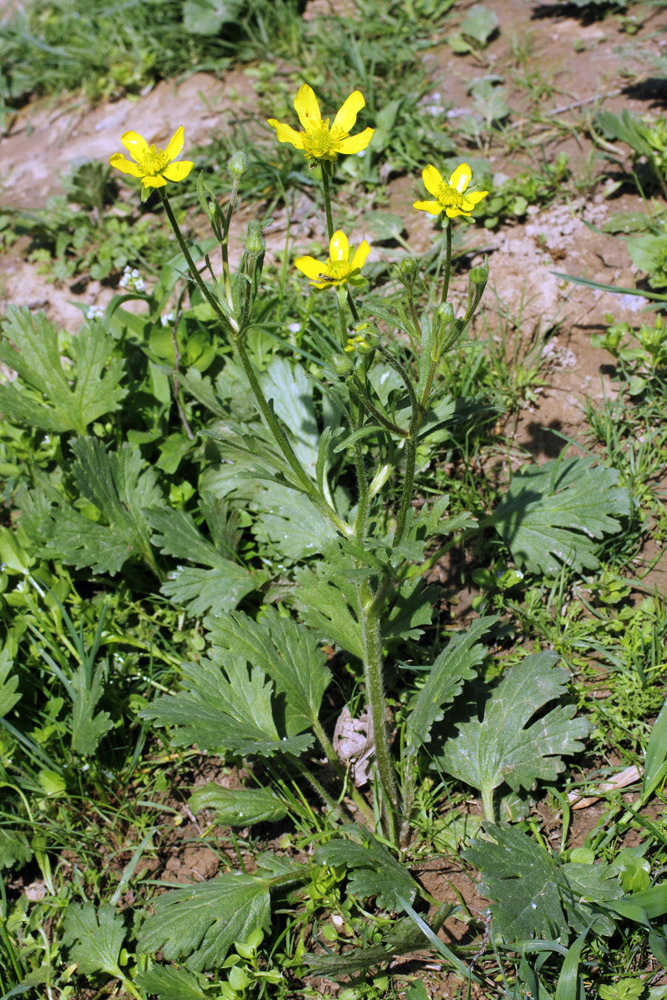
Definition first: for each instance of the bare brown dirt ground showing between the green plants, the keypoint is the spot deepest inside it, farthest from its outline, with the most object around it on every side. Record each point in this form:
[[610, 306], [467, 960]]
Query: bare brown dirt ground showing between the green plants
[[50, 137]]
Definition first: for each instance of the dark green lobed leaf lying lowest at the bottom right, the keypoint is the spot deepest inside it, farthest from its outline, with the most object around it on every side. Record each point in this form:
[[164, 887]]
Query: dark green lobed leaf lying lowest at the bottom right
[[534, 896]]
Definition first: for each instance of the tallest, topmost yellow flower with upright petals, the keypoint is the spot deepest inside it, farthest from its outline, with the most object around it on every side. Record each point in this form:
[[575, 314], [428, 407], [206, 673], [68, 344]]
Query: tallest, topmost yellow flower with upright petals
[[318, 140]]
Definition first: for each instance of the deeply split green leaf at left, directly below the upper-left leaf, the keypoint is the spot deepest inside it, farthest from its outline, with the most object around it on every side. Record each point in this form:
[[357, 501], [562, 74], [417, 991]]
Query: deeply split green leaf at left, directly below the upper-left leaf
[[120, 487]]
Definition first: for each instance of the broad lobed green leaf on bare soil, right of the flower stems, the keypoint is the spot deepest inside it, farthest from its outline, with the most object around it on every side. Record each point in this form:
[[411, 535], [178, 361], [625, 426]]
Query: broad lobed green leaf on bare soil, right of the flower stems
[[553, 513]]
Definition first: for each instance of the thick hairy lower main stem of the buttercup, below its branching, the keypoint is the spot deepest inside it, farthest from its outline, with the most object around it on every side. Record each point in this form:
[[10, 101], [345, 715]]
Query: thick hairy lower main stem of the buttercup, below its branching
[[371, 638]]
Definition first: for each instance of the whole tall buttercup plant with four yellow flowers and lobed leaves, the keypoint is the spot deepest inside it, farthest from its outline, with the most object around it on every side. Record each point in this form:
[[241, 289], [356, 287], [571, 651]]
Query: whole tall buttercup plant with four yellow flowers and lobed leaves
[[382, 396]]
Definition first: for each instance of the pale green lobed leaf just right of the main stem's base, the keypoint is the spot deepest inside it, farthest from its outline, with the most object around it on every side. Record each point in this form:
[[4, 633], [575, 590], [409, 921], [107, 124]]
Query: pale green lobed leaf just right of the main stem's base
[[503, 746]]
